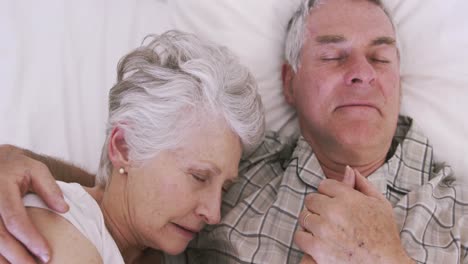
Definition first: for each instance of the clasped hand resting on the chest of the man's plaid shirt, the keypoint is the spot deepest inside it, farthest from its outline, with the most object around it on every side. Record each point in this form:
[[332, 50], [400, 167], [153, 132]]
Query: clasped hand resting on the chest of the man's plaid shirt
[[342, 224]]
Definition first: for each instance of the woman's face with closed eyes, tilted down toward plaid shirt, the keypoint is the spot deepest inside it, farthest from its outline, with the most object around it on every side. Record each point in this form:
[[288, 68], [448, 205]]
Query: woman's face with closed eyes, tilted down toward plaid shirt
[[172, 196]]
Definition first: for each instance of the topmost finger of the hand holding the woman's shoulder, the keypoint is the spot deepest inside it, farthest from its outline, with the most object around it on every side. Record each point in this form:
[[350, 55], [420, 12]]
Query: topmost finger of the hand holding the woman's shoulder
[[48, 190]]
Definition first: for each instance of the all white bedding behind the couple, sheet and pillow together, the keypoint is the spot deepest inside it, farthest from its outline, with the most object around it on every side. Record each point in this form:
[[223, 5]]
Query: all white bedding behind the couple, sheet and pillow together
[[59, 57]]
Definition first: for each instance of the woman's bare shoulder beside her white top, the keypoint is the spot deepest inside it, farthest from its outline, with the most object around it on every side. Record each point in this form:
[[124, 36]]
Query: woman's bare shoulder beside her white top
[[68, 244]]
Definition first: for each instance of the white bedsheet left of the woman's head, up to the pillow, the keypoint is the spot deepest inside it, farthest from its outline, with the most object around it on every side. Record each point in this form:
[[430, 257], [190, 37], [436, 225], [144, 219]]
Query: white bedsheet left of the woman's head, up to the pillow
[[58, 61]]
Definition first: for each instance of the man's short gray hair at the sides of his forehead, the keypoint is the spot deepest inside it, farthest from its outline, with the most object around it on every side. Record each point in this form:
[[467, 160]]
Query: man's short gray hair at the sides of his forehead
[[296, 30]]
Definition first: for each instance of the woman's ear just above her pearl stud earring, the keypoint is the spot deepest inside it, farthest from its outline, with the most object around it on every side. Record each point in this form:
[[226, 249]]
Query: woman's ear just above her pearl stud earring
[[118, 149]]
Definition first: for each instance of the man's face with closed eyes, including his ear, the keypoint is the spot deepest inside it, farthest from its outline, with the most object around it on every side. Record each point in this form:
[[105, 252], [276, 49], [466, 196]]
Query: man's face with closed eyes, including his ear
[[347, 87]]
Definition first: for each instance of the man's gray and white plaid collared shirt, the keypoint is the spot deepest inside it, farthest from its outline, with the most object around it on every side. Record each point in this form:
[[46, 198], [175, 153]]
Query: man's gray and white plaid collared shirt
[[260, 212]]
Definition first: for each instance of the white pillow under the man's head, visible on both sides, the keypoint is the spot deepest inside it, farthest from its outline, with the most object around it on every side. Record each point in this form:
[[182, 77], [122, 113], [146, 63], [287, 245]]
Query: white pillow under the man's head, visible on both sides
[[434, 41]]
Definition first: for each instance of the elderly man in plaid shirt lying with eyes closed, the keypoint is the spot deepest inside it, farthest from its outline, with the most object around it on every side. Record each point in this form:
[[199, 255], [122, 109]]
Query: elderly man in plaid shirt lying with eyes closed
[[307, 201]]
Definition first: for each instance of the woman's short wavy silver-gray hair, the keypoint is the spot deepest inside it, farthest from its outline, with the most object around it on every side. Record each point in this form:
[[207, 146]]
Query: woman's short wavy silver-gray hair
[[170, 84]]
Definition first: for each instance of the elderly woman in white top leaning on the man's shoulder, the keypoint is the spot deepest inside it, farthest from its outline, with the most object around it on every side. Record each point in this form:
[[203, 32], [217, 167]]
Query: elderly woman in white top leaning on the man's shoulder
[[181, 115]]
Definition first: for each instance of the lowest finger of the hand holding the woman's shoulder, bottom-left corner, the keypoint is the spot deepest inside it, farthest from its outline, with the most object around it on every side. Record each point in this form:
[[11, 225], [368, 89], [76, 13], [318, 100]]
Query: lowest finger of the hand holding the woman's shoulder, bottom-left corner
[[11, 251]]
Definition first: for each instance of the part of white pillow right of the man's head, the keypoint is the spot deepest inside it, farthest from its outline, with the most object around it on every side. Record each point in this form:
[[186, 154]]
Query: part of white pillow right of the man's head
[[434, 51]]
